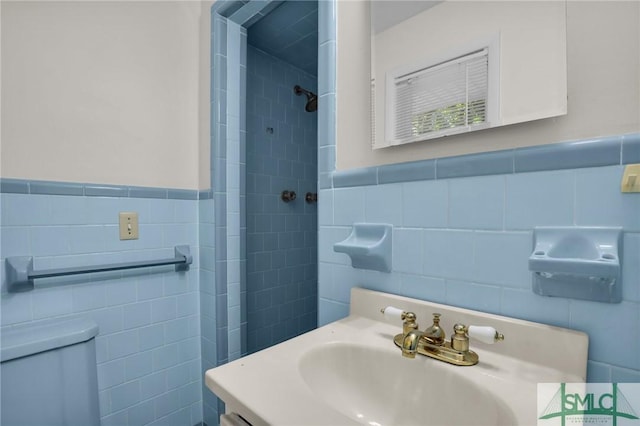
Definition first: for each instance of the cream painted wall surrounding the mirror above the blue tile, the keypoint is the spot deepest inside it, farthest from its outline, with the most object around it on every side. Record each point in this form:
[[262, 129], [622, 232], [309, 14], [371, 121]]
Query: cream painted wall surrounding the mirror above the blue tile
[[603, 61]]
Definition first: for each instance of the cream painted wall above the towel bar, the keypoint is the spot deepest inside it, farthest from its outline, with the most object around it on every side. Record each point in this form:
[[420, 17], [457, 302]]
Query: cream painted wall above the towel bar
[[104, 92]]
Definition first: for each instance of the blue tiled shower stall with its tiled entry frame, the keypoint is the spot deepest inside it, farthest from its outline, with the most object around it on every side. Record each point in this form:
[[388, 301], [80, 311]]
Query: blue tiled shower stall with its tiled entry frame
[[258, 241]]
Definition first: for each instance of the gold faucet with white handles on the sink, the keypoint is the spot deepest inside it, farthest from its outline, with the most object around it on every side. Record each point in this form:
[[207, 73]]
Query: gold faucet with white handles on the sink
[[432, 343]]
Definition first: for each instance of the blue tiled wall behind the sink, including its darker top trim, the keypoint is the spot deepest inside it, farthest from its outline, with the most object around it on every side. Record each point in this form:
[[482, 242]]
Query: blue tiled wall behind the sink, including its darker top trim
[[463, 236]]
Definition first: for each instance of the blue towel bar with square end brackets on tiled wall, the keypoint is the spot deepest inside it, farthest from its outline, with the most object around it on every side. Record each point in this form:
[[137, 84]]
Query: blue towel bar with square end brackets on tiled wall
[[21, 276]]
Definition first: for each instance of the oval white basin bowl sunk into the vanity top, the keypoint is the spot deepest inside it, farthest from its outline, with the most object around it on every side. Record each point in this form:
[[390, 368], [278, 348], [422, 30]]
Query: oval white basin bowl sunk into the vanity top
[[363, 383]]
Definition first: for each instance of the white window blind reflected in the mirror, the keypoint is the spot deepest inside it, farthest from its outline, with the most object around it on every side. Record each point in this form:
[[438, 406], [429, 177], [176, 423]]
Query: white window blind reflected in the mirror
[[447, 98]]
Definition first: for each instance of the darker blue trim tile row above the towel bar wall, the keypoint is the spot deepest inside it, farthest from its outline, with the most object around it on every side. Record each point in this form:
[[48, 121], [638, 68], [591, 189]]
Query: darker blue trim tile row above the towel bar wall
[[35, 187]]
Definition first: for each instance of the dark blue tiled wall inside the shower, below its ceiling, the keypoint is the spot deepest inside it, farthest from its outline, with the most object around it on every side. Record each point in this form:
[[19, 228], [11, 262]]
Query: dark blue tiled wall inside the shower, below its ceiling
[[281, 237]]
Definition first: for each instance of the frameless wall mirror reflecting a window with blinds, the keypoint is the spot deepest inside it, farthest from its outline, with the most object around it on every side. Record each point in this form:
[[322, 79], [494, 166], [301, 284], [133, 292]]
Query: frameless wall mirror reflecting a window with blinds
[[417, 45]]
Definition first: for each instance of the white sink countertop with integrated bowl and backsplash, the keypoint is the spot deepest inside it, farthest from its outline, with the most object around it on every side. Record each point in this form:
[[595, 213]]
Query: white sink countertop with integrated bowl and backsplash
[[351, 373]]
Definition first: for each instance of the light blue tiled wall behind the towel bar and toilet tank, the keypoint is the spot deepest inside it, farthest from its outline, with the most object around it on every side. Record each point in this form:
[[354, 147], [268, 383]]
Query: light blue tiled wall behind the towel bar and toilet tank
[[148, 346]]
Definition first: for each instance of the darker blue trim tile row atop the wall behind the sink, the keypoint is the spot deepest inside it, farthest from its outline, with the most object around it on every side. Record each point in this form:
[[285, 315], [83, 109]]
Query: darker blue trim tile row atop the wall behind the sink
[[604, 151]]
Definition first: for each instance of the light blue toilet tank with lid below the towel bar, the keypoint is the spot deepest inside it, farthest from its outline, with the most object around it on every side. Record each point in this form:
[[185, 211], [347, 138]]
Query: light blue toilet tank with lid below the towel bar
[[49, 374]]
